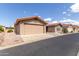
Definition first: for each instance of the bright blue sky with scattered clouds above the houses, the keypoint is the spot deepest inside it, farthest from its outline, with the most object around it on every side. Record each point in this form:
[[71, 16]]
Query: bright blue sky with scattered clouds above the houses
[[50, 12]]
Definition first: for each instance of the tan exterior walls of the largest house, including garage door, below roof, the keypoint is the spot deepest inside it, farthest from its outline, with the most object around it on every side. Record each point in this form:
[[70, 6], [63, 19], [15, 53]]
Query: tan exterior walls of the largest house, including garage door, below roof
[[25, 27]]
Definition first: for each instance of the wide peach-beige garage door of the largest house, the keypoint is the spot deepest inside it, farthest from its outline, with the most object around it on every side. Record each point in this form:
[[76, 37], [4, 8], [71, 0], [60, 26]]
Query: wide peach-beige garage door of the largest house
[[33, 29]]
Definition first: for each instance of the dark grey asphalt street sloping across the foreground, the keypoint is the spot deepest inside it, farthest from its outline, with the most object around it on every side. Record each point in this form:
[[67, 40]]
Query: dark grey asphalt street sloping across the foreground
[[67, 45]]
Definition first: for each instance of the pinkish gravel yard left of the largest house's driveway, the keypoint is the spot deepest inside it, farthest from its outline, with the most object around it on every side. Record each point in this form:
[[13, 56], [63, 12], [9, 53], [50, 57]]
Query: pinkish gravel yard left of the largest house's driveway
[[9, 39]]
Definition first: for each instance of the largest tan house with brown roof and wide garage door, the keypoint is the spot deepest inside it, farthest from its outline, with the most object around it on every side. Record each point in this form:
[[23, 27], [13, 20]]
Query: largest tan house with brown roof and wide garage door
[[30, 25]]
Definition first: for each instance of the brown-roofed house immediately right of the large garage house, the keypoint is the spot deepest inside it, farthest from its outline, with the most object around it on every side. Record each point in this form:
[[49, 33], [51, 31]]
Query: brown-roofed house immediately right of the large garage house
[[54, 28]]
